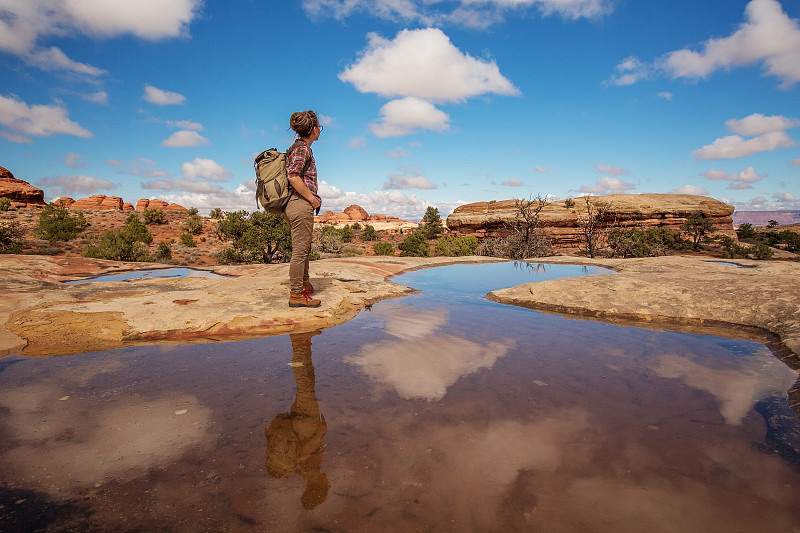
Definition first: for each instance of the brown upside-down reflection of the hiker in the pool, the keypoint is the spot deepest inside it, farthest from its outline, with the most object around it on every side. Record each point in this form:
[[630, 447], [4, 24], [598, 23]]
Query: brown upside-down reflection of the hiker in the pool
[[295, 440]]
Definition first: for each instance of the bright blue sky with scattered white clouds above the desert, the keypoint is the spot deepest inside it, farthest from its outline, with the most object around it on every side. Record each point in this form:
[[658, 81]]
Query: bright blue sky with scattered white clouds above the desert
[[424, 102]]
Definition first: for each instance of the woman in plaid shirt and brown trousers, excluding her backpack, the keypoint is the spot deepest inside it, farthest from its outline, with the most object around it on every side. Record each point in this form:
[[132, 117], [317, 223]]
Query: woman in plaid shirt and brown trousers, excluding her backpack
[[299, 212]]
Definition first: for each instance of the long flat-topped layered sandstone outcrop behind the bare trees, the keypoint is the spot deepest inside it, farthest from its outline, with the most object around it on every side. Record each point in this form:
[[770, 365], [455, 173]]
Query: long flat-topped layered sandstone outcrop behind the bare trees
[[560, 223]]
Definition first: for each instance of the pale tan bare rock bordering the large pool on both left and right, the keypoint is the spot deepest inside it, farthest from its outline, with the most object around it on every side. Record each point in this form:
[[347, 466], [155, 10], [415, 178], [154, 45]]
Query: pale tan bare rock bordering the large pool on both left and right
[[40, 315]]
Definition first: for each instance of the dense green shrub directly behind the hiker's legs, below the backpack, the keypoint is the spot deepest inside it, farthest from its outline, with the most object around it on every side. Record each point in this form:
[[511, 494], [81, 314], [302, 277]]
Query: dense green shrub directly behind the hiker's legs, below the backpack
[[256, 237]]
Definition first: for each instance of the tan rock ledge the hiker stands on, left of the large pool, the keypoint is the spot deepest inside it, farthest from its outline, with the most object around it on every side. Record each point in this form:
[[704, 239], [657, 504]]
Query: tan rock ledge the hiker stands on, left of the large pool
[[40, 315]]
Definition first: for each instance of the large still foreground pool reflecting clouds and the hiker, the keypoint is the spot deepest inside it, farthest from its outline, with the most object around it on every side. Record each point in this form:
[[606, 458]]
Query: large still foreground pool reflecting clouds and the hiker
[[441, 411]]
